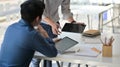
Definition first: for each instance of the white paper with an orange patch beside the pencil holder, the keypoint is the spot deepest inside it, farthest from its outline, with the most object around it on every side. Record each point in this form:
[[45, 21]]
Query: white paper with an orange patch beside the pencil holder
[[88, 51]]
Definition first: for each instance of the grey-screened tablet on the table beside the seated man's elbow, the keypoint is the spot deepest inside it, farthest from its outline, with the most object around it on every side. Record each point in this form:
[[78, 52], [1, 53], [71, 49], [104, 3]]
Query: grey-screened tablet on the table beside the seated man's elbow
[[65, 44]]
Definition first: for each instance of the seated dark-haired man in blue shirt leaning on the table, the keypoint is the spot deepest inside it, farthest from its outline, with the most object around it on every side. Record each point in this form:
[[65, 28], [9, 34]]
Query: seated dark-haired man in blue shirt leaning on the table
[[21, 40]]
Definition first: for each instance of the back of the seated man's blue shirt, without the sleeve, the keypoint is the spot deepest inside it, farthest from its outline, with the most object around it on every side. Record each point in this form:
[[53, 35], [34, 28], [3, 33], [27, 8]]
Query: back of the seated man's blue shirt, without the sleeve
[[17, 45]]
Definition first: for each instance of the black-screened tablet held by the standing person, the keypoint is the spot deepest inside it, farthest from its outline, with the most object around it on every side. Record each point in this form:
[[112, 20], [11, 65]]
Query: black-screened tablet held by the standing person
[[76, 28]]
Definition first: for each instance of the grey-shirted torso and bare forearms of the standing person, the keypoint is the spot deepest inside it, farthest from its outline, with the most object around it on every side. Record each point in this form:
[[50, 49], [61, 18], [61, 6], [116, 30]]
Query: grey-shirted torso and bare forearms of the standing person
[[51, 15]]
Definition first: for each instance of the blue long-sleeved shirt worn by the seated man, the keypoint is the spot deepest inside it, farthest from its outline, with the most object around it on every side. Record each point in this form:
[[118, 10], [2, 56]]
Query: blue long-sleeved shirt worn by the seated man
[[20, 42]]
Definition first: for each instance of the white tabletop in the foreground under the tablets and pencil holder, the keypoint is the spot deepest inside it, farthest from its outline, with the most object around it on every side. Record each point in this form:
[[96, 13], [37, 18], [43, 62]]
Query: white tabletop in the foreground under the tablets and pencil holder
[[99, 60]]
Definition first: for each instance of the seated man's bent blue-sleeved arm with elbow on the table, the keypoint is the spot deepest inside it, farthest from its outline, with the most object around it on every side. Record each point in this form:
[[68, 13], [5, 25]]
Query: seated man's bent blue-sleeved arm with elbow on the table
[[46, 46]]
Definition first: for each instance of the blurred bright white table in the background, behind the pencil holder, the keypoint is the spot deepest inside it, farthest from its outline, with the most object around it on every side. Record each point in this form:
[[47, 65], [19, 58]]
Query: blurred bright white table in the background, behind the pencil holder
[[91, 10]]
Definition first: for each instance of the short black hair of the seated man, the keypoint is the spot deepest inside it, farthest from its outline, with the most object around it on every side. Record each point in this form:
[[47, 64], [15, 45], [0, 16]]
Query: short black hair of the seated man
[[30, 9]]
